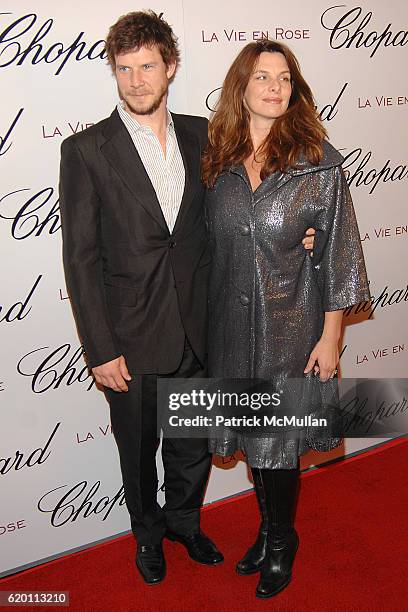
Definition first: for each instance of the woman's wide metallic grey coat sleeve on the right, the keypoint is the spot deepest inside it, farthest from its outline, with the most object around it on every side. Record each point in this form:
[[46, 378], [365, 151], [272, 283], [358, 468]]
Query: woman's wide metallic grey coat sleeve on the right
[[338, 254]]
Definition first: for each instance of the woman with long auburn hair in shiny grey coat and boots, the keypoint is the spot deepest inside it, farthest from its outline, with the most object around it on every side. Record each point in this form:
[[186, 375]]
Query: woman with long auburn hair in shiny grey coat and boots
[[275, 312]]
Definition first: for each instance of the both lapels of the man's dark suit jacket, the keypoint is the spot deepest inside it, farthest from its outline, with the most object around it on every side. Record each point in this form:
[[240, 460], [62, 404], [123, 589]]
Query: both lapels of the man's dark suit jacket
[[120, 152]]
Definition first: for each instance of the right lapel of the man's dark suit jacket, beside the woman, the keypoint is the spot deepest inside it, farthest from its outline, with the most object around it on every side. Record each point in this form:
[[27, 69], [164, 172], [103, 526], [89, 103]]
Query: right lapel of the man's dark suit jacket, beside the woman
[[190, 152]]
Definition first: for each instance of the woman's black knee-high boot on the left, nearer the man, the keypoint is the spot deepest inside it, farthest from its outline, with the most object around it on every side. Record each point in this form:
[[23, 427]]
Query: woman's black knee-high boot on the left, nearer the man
[[253, 559]]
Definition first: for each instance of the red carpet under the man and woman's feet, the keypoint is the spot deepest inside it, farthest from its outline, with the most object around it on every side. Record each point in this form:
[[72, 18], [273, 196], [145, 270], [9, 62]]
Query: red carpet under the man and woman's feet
[[351, 520]]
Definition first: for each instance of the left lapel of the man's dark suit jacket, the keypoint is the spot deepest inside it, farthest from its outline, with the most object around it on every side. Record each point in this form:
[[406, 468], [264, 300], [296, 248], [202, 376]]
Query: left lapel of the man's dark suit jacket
[[122, 155]]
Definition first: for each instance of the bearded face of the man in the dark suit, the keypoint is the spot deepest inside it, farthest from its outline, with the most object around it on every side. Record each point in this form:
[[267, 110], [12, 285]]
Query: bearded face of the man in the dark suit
[[143, 80]]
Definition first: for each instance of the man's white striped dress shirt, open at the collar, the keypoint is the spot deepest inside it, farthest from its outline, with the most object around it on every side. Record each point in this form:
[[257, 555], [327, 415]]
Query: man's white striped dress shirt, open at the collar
[[166, 172]]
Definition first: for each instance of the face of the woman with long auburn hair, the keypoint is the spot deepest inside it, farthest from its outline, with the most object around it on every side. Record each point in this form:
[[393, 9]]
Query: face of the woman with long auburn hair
[[269, 89]]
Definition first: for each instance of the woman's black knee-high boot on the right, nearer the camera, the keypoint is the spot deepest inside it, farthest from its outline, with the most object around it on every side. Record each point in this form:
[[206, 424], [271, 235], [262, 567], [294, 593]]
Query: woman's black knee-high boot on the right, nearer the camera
[[281, 491]]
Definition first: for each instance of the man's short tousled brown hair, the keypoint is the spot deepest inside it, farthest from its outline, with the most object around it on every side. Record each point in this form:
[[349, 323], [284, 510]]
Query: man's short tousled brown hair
[[142, 29]]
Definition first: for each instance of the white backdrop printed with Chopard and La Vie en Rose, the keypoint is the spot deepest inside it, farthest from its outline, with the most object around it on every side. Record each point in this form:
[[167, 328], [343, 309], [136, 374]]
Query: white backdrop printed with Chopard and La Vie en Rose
[[60, 483]]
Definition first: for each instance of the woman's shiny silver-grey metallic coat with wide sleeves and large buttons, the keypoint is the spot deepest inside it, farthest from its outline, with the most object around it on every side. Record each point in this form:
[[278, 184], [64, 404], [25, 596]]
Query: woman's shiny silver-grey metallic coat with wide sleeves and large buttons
[[267, 294]]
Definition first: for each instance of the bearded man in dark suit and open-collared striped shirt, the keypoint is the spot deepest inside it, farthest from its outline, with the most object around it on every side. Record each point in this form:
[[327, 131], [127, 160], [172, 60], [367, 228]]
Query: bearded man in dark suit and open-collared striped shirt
[[136, 264]]
